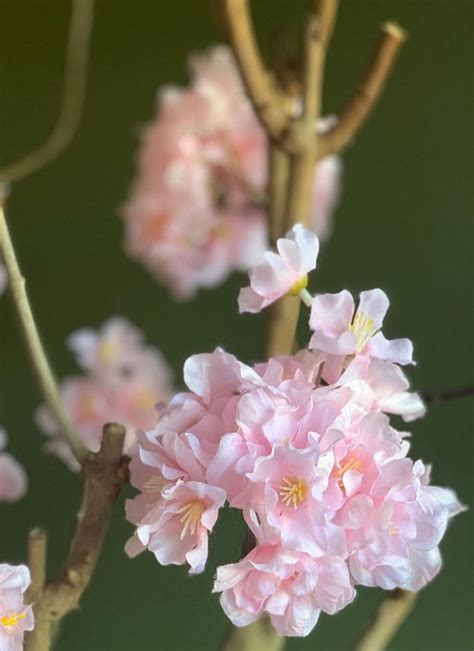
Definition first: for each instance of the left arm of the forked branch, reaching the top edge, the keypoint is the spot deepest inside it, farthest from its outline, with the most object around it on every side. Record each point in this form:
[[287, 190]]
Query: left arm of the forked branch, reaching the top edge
[[265, 97]]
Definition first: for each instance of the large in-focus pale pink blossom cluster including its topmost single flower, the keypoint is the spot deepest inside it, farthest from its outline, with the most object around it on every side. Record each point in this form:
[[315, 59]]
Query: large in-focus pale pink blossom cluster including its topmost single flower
[[302, 444]]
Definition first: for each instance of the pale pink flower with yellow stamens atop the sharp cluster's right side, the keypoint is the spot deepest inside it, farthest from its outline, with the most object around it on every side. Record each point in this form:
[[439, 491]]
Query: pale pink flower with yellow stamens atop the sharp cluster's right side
[[341, 329]]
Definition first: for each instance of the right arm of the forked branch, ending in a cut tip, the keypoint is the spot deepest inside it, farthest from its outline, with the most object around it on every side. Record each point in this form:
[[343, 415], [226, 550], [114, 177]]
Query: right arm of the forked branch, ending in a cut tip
[[363, 101]]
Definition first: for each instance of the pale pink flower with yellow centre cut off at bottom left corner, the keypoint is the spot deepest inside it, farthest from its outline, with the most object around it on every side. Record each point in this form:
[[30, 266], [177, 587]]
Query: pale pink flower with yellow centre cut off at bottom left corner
[[15, 616]]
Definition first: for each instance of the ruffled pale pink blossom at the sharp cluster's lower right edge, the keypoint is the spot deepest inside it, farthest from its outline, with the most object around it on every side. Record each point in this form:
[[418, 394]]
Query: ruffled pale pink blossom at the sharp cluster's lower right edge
[[396, 542]]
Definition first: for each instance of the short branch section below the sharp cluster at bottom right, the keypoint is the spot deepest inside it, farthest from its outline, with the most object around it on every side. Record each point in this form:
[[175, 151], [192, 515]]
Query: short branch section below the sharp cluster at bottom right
[[388, 618]]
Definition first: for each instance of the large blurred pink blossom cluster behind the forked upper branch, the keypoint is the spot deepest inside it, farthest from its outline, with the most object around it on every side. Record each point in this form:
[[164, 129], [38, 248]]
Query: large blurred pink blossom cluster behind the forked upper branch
[[197, 209]]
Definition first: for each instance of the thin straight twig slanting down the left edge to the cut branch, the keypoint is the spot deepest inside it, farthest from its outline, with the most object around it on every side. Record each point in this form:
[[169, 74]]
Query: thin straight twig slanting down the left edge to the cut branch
[[36, 351]]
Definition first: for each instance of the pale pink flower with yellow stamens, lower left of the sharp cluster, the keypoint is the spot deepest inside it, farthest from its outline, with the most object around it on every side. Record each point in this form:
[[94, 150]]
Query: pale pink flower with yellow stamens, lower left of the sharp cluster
[[176, 530]]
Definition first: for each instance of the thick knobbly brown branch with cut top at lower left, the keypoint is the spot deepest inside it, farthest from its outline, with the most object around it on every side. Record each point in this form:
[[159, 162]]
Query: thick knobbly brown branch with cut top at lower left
[[105, 473]]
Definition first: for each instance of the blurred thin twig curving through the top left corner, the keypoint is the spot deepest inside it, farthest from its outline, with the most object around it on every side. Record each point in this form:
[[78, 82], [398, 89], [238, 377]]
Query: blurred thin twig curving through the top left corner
[[75, 77]]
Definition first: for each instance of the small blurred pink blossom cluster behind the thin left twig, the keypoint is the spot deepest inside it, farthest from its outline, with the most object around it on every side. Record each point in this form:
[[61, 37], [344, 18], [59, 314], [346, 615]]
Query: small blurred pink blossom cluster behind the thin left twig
[[124, 381]]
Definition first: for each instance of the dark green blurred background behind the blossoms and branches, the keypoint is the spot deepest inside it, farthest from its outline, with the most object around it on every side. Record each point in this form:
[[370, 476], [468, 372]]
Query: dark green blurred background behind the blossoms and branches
[[404, 224]]
